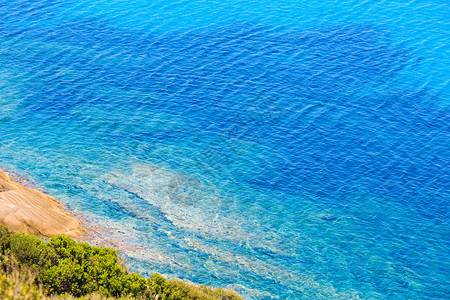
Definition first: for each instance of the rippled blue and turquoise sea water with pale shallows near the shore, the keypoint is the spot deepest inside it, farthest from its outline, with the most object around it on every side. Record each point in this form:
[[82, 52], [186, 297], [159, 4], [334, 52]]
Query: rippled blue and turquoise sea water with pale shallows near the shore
[[285, 149]]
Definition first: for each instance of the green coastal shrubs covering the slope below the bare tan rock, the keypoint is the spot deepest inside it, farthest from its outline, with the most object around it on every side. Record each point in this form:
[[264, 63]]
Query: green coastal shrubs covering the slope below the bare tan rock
[[62, 268]]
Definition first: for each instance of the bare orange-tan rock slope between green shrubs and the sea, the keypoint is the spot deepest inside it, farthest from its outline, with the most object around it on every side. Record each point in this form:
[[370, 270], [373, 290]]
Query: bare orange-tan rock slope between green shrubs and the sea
[[23, 209]]
